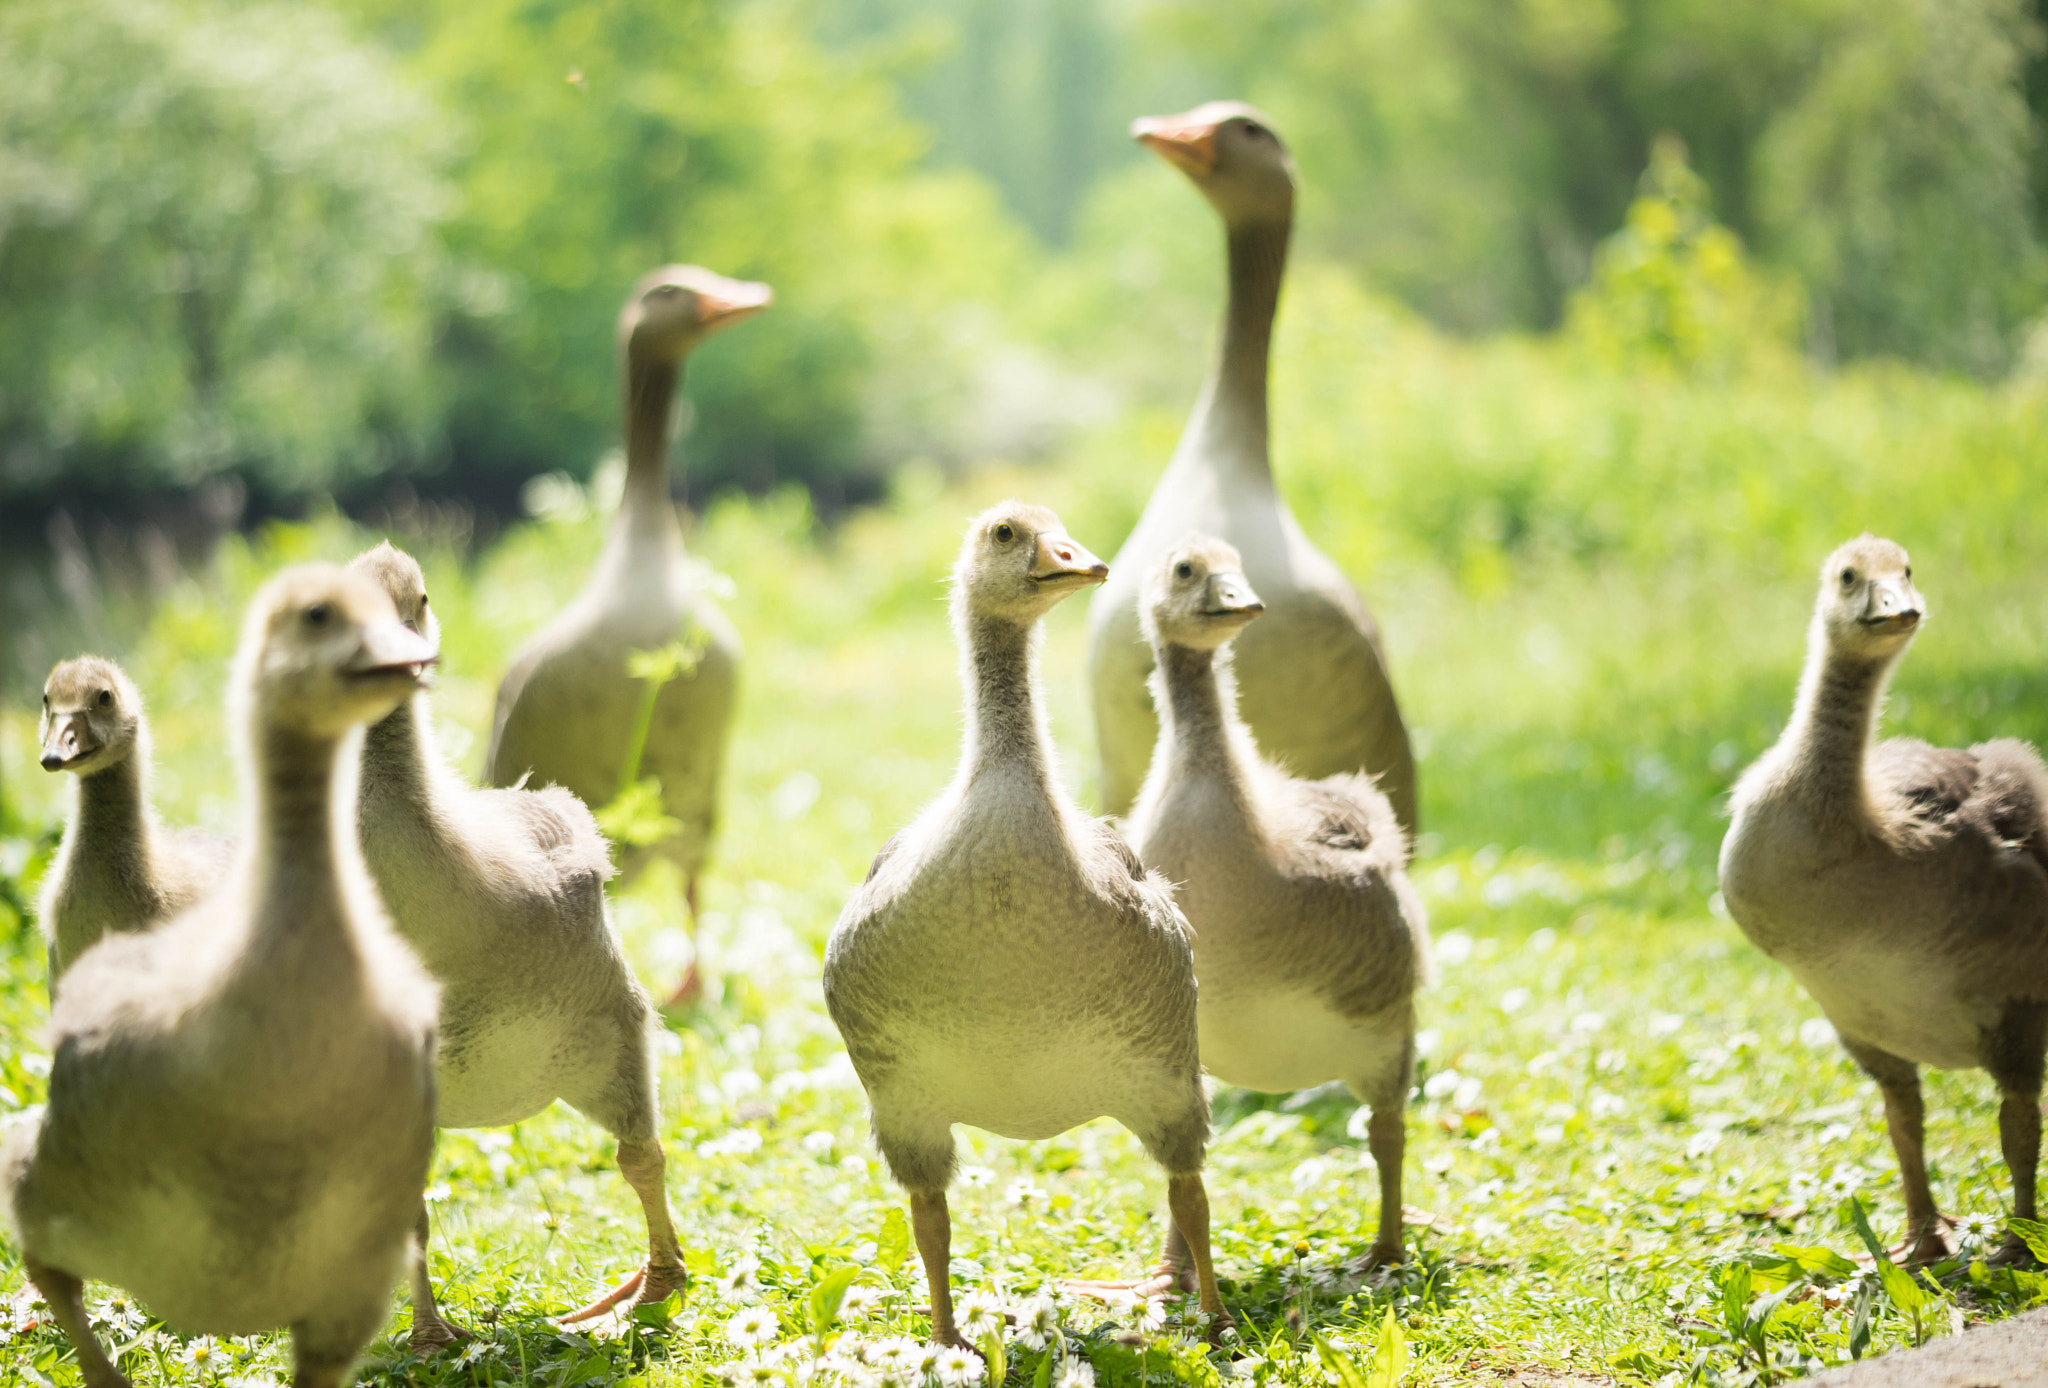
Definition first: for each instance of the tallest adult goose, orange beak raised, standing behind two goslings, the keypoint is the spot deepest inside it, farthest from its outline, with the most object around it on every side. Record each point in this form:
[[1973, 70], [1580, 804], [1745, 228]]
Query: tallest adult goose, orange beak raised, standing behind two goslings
[[1312, 675]]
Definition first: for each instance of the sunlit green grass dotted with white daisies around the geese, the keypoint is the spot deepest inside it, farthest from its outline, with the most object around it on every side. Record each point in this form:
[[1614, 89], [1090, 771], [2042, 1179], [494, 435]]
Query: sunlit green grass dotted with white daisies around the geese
[[1621, 1102]]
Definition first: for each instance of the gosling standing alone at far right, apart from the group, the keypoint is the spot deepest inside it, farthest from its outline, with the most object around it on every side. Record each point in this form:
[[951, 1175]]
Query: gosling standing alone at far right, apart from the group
[[1904, 885]]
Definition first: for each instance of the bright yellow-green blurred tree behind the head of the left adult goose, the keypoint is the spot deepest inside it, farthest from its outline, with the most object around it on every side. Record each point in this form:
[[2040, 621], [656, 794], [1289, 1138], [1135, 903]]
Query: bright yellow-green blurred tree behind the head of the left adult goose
[[611, 136]]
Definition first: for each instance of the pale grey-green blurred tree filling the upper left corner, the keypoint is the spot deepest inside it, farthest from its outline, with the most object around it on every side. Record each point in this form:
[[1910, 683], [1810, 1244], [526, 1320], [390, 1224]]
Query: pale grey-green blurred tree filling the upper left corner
[[216, 249]]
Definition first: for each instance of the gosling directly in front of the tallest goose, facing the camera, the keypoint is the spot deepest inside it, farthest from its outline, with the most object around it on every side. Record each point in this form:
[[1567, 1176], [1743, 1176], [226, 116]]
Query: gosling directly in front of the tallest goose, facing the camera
[[1310, 941]]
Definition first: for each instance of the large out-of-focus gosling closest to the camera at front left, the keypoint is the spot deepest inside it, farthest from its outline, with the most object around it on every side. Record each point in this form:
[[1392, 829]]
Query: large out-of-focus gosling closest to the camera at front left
[[243, 1102]]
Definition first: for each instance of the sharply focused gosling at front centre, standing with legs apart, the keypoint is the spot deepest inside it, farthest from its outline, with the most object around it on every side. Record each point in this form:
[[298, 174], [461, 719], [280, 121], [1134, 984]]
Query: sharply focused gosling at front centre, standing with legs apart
[[1009, 963]]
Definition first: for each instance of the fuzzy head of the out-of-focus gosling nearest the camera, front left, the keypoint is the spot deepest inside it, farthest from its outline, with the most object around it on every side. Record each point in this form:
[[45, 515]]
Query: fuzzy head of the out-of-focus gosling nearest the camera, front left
[[325, 650]]
